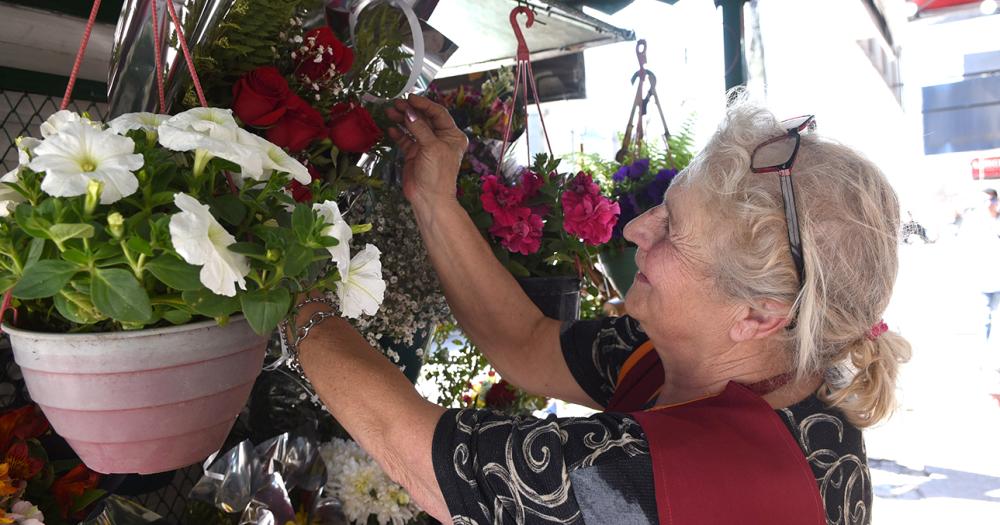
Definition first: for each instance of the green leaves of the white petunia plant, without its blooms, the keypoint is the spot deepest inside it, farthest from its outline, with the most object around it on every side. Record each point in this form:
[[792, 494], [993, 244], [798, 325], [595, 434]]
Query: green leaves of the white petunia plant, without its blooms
[[70, 266]]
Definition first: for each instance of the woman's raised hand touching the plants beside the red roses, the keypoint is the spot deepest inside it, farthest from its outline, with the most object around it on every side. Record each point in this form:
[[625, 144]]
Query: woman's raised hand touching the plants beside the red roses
[[432, 147]]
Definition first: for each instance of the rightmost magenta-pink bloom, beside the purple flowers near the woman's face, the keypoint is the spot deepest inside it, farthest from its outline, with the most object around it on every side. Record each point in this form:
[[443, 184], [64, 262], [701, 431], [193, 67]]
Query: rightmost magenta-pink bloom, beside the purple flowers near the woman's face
[[587, 214]]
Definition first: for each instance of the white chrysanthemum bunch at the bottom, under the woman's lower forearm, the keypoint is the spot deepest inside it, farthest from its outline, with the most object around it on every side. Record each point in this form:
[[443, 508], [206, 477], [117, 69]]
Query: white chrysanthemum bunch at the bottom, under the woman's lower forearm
[[362, 487]]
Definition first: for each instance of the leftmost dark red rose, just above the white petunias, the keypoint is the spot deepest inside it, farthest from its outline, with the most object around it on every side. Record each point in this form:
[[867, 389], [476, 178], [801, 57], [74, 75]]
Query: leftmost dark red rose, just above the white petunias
[[260, 98]]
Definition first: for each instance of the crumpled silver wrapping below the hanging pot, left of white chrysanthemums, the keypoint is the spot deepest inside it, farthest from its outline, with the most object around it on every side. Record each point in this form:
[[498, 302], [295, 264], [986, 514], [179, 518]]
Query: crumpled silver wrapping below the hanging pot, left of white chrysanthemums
[[263, 485]]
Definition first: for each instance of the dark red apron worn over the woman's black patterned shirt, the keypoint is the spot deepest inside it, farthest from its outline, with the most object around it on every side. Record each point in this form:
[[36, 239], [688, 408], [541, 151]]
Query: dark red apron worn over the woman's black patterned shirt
[[719, 460]]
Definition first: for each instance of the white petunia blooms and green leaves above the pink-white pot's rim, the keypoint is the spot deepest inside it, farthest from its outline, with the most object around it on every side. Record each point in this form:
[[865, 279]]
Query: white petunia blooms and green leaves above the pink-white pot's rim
[[155, 219]]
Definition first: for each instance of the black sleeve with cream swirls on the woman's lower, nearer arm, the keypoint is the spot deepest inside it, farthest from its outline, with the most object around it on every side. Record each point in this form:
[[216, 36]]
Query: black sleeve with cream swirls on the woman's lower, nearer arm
[[518, 471]]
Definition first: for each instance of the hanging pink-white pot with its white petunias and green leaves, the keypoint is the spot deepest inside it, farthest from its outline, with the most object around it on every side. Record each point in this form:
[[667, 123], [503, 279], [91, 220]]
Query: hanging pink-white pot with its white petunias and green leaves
[[143, 264]]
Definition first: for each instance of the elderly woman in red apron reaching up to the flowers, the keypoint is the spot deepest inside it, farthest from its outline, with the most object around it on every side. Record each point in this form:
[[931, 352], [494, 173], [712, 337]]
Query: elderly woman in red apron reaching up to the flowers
[[733, 391]]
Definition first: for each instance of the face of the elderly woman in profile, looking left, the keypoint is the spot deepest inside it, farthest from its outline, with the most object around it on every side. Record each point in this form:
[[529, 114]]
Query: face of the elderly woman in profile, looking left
[[672, 296]]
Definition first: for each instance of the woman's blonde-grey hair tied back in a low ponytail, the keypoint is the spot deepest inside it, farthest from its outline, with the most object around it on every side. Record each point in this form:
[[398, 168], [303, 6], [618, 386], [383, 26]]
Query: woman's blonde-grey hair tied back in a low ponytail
[[849, 218]]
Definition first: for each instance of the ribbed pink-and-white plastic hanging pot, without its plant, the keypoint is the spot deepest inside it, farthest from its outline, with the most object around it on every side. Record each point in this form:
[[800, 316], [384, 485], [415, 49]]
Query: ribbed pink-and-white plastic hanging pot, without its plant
[[146, 401]]
